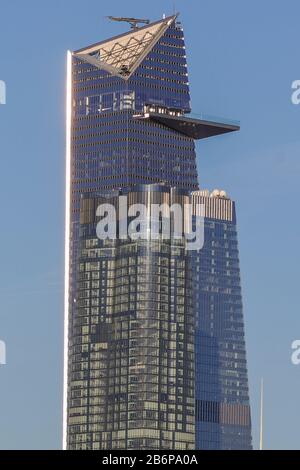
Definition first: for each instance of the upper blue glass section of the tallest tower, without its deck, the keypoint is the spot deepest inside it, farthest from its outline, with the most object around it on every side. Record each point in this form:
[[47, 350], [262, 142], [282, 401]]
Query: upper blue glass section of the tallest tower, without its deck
[[115, 84]]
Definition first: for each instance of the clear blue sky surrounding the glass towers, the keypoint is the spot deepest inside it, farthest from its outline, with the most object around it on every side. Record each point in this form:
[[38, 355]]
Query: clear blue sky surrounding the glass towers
[[243, 57]]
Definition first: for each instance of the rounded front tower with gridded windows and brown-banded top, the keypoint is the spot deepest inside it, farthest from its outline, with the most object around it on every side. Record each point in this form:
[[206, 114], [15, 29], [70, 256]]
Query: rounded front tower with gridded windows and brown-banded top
[[133, 334]]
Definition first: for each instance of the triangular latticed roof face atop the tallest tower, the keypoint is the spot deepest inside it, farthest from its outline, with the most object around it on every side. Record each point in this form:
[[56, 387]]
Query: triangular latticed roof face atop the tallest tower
[[121, 55]]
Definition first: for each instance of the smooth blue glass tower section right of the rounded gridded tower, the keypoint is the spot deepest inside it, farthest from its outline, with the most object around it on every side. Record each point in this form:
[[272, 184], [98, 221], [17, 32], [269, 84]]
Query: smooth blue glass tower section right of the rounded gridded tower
[[223, 419]]
